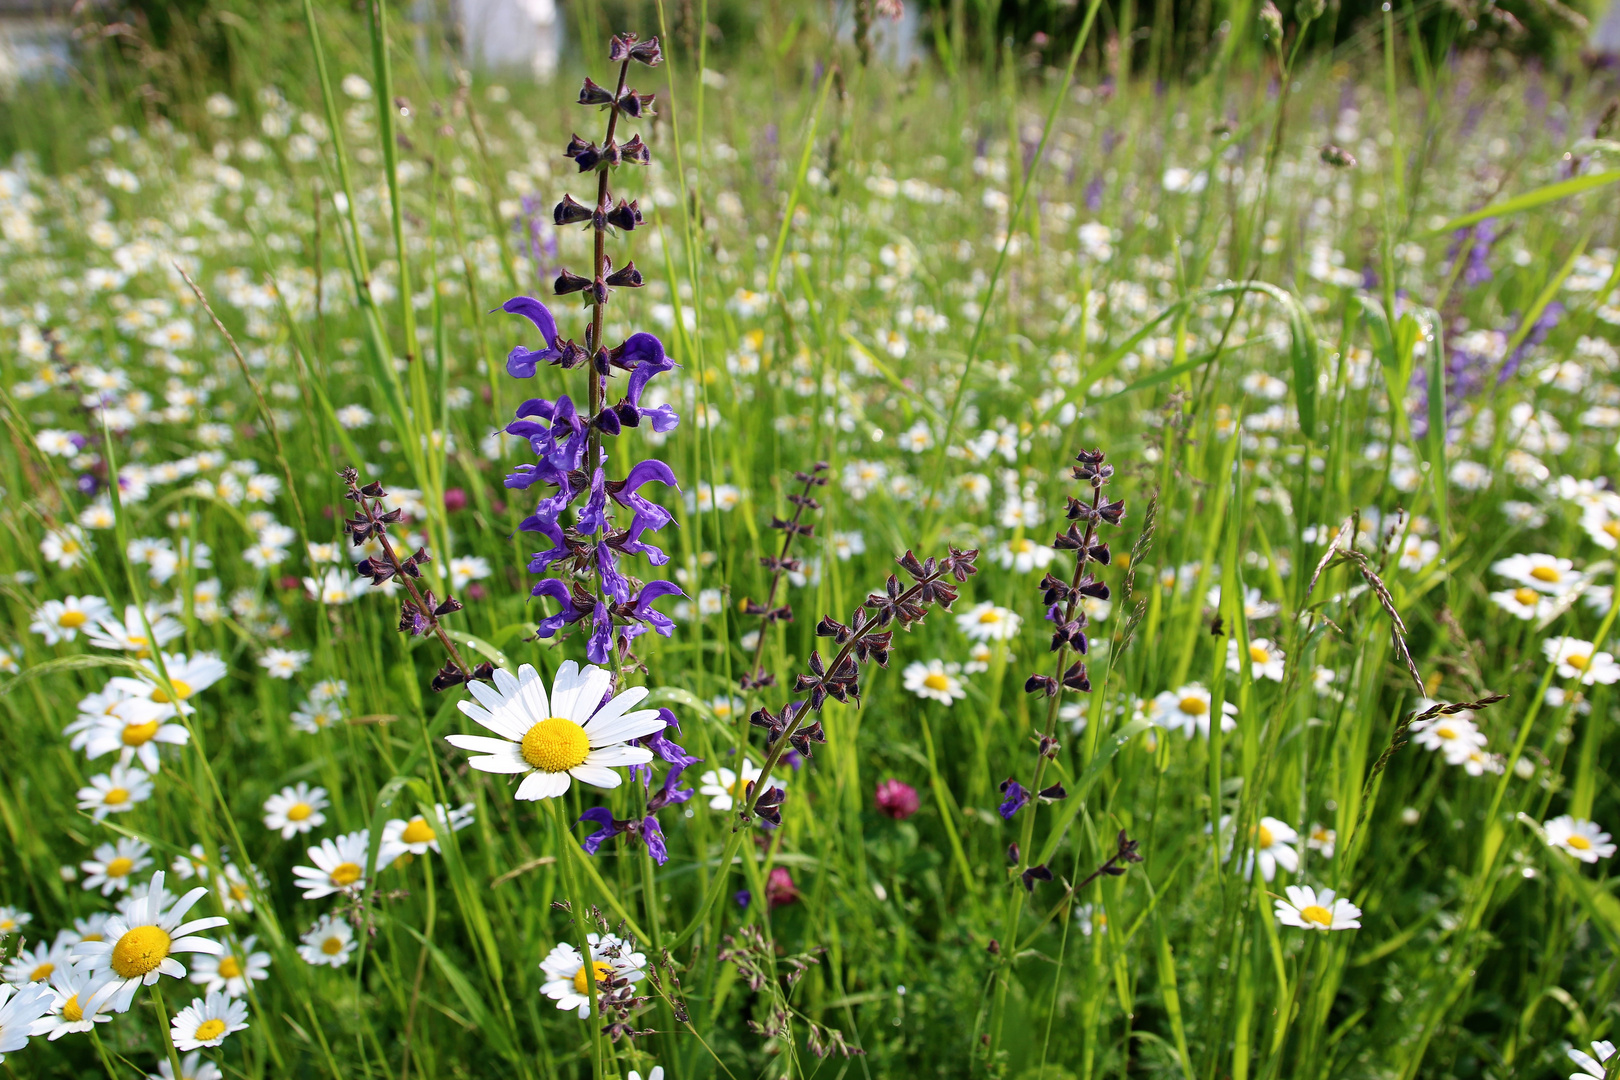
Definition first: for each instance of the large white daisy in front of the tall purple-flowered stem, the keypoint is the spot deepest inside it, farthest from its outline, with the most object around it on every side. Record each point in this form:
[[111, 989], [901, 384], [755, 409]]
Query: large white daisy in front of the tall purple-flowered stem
[[571, 734]]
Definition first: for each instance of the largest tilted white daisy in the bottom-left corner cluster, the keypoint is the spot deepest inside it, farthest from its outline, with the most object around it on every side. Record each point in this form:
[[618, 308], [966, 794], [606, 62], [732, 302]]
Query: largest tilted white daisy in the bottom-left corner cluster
[[143, 942]]
